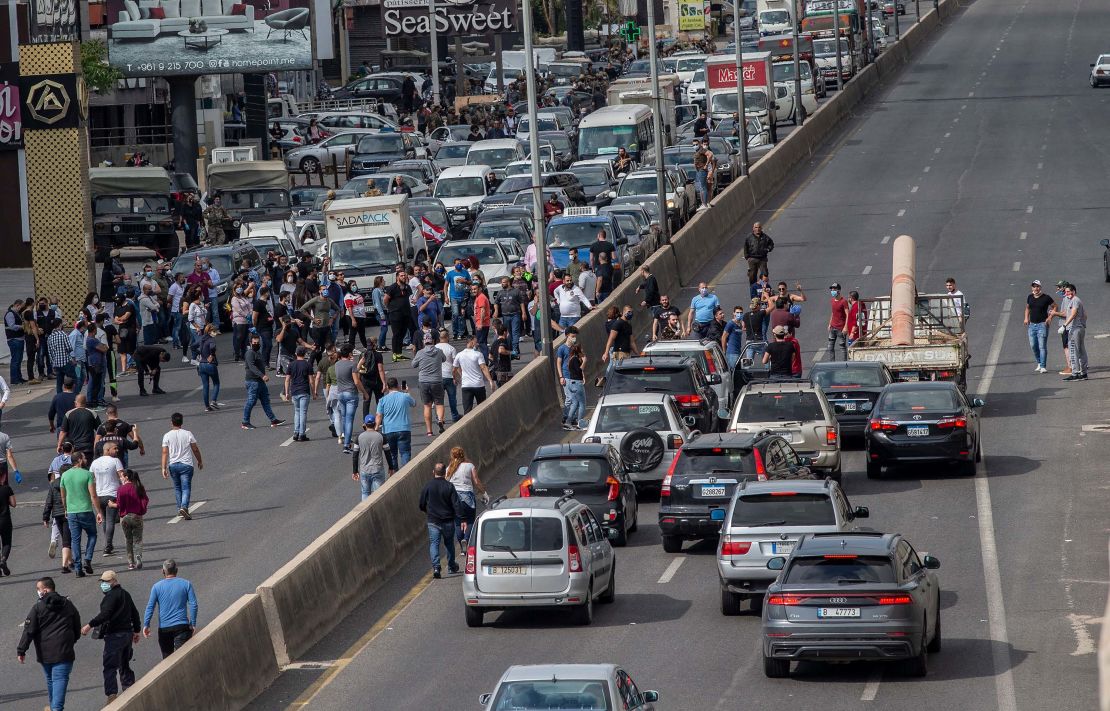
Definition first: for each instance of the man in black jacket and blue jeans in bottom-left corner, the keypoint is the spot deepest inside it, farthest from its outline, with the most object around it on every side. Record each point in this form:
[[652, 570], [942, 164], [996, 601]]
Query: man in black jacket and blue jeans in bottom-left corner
[[54, 626]]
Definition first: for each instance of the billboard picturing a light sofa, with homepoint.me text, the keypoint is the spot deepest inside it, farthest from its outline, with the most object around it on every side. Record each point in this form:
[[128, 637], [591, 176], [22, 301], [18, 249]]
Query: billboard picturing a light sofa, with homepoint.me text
[[164, 38]]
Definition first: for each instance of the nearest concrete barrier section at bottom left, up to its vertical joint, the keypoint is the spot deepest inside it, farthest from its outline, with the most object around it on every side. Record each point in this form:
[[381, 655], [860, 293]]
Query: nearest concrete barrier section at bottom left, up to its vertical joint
[[228, 664]]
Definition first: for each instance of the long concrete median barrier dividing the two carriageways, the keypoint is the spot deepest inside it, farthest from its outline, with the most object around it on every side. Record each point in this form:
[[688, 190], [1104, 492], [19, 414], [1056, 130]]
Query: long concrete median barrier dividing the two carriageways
[[237, 656]]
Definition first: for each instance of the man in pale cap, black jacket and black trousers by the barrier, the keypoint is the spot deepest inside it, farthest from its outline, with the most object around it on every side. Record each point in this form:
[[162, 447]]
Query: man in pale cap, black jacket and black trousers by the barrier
[[118, 624]]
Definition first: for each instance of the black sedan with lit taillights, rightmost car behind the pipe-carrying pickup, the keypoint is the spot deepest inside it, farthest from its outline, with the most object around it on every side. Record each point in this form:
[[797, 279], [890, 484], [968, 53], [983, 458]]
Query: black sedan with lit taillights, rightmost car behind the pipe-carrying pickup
[[926, 422]]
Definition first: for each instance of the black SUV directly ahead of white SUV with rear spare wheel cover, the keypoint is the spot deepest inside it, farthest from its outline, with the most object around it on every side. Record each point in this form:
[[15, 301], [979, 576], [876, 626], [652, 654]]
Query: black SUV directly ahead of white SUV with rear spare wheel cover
[[681, 377]]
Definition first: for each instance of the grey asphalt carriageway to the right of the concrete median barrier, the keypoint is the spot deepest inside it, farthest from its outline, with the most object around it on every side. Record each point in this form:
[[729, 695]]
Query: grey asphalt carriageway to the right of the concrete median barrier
[[991, 150]]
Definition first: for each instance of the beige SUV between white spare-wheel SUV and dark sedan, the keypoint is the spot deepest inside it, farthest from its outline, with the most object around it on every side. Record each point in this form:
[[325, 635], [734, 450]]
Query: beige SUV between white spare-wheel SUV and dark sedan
[[800, 412]]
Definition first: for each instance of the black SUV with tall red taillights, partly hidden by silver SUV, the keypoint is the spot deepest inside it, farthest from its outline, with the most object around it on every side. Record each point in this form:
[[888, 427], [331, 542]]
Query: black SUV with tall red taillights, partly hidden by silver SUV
[[697, 492]]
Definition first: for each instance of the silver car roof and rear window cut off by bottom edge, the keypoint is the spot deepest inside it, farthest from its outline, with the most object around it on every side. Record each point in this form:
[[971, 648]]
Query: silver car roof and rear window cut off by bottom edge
[[569, 687]]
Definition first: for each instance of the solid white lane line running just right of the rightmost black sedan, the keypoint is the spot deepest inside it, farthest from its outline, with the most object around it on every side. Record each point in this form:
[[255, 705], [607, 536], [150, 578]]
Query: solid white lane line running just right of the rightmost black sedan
[[993, 578]]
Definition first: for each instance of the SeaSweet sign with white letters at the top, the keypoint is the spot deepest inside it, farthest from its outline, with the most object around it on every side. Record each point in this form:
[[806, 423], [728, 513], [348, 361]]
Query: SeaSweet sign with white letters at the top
[[452, 17]]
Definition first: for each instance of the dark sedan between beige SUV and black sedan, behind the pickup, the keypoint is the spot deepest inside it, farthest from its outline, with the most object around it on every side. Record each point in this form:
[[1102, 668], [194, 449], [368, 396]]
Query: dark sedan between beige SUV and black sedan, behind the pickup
[[853, 389]]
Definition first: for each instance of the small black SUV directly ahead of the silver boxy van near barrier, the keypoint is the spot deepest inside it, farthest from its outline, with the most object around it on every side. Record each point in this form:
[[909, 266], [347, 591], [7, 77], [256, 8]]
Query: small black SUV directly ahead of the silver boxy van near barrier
[[592, 474]]
